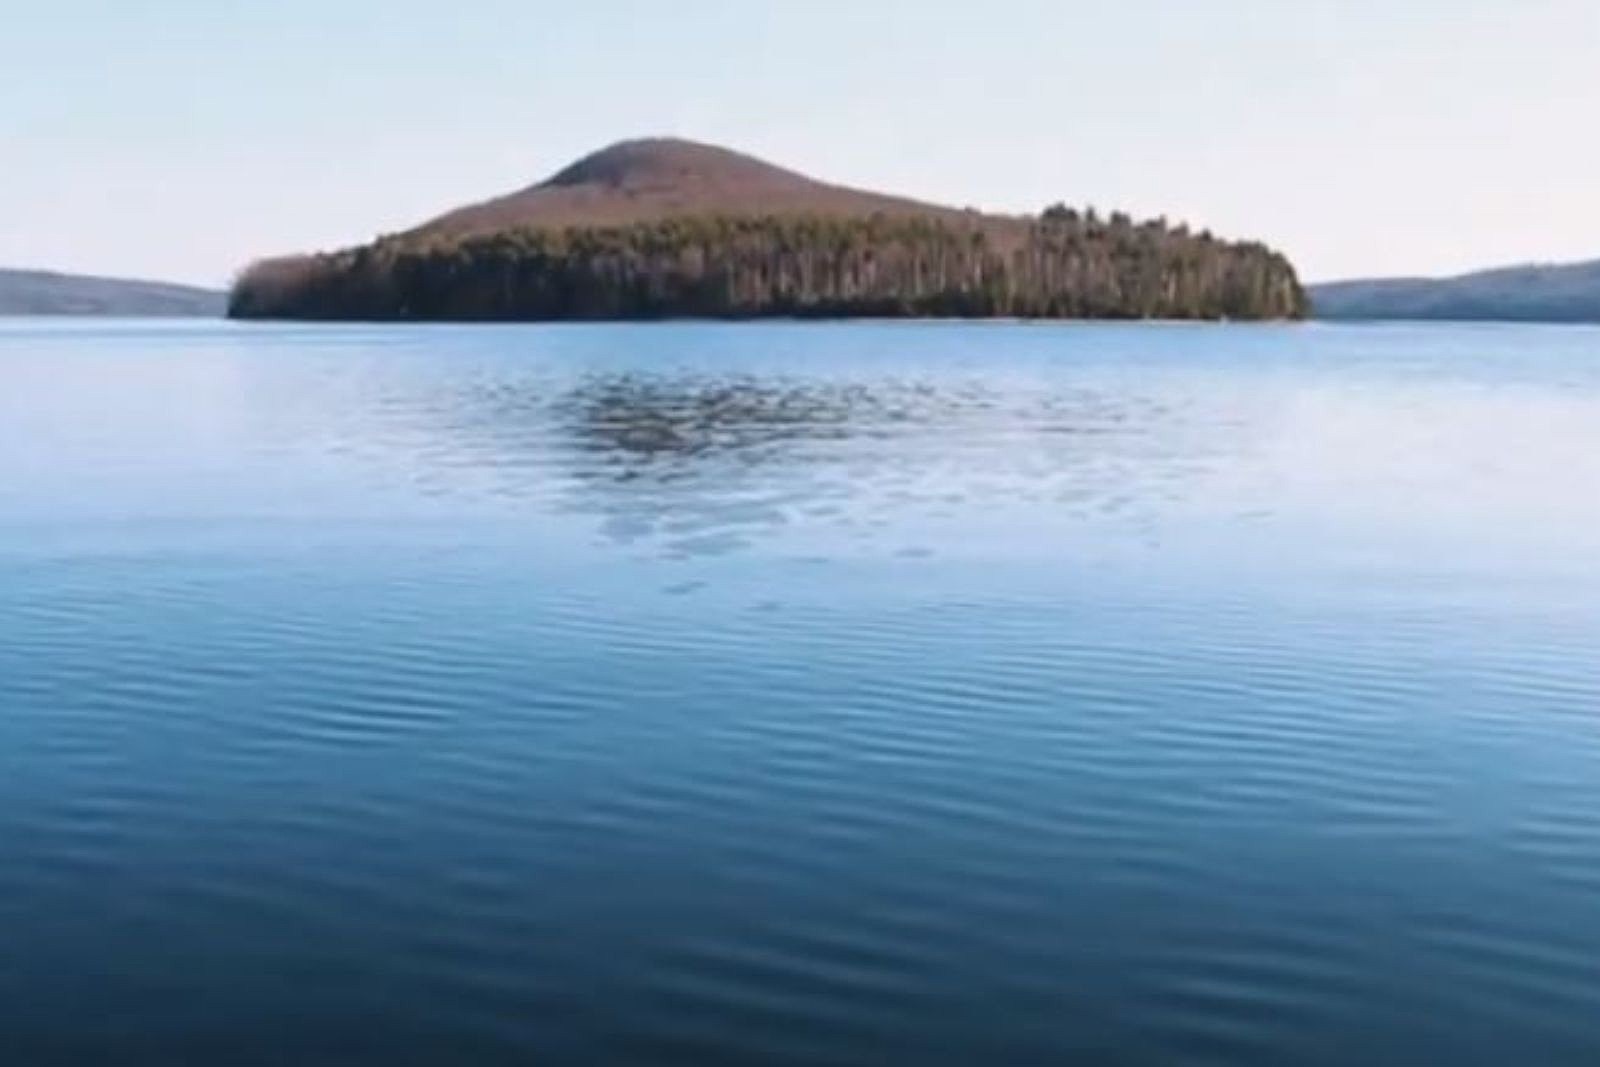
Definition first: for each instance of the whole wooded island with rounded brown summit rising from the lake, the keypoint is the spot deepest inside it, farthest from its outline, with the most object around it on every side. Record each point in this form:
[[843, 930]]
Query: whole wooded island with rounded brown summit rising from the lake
[[665, 228]]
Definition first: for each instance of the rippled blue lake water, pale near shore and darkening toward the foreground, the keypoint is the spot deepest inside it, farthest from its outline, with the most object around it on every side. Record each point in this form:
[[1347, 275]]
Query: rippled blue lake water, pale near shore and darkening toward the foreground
[[799, 695]]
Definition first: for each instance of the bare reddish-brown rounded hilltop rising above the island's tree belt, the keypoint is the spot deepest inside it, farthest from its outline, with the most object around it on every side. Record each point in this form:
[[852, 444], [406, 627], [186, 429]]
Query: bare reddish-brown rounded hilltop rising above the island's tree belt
[[638, 182]]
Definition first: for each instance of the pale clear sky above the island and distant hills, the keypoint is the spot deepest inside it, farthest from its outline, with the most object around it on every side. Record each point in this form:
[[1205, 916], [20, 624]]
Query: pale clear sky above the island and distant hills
[[183, 138]]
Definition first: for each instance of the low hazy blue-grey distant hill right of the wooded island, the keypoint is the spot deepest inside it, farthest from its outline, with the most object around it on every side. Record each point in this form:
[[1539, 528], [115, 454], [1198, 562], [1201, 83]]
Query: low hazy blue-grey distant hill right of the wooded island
[[1534, 294]]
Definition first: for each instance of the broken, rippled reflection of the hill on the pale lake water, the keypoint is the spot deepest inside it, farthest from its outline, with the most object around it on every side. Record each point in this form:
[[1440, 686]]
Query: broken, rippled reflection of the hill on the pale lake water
[[705, 465]]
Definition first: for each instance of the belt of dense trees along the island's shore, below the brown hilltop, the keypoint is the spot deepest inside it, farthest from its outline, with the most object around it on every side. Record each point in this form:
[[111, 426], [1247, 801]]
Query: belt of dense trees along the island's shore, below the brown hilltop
[[1063, 265]]
